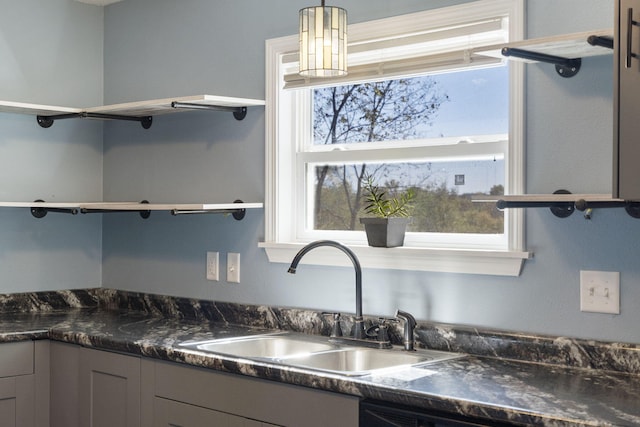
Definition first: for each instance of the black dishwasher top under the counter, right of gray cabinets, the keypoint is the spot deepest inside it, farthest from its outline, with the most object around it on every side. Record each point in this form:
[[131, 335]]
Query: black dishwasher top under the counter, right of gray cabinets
[[378, 414]]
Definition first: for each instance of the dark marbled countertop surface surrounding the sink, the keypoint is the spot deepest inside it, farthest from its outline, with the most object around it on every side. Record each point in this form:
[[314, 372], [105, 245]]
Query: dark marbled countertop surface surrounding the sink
[[491, 388]]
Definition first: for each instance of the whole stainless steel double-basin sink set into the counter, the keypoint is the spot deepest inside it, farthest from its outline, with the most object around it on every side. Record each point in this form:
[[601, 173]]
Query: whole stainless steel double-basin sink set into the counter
[[318, 353]]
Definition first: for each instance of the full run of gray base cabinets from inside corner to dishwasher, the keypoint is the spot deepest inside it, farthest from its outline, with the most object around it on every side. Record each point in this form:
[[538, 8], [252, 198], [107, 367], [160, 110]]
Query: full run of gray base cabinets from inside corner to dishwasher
[[94, 388]]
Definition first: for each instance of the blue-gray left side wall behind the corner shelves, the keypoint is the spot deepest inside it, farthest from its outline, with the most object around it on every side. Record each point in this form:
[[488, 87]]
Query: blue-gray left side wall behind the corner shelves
[[51, 52]]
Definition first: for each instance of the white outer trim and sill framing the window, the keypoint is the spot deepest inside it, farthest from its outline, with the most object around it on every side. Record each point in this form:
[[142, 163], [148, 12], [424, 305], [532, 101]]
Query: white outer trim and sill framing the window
[[281, 248]]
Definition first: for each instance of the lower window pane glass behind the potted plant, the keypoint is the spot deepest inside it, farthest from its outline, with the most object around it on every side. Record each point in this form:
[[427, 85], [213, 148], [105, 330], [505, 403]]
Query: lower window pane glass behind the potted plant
[[442, 194]]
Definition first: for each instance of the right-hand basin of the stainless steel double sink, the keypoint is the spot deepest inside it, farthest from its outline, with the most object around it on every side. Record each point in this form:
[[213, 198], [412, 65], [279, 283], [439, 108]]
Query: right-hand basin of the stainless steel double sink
[[363, 361]]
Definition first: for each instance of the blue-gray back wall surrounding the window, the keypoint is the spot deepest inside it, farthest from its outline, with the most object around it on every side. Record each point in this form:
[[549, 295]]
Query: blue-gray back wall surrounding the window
[[162, 48]]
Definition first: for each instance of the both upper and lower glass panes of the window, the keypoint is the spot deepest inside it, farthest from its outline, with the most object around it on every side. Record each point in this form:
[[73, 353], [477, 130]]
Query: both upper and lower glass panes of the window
[[458, 107]]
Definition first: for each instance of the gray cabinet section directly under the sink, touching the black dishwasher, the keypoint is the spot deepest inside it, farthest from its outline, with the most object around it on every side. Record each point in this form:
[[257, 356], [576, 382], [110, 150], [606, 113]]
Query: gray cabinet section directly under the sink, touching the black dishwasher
[[205, 395]]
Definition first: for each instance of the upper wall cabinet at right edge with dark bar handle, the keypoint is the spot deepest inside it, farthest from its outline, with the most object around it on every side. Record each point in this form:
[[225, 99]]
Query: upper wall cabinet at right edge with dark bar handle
[[626, 178]]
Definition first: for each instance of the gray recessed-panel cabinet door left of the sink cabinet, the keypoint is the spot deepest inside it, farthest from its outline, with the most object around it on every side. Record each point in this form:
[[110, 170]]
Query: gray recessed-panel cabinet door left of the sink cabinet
[[109, 389]]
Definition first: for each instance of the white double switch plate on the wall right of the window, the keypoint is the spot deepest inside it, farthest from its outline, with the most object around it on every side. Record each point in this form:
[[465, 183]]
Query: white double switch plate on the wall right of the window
[[600, 291]]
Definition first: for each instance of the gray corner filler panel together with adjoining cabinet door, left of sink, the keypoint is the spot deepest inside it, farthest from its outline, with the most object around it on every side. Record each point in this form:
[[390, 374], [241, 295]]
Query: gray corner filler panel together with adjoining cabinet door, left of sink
[[93, 388]]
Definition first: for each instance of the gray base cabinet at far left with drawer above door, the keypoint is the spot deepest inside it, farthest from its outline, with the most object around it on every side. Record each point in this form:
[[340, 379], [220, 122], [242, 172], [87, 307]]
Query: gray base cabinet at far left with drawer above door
[[23, 374]]
